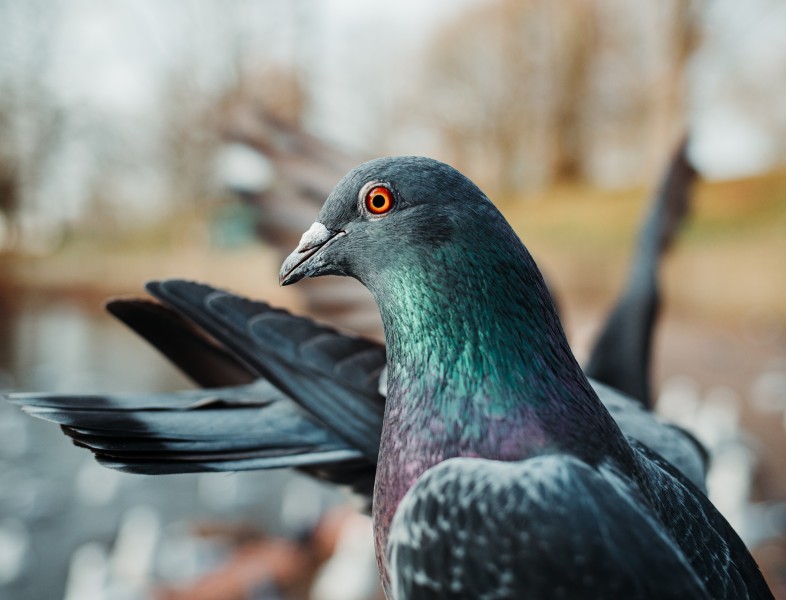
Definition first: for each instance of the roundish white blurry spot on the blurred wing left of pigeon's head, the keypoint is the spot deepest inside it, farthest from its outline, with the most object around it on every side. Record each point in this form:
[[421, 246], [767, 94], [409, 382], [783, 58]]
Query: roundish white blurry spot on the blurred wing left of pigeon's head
[[242, 169]]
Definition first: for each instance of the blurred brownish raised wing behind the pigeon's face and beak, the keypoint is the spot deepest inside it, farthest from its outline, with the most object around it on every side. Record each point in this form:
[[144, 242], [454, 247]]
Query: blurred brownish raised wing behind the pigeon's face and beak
[[301, 172]]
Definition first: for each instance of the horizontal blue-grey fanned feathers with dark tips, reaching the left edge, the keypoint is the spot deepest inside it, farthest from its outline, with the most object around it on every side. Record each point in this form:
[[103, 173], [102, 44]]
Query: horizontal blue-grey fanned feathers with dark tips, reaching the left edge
[[223, 429]]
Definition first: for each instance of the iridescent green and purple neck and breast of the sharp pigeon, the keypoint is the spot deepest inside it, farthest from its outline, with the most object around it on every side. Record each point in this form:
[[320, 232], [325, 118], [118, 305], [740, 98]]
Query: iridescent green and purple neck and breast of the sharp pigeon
[[478, 365]]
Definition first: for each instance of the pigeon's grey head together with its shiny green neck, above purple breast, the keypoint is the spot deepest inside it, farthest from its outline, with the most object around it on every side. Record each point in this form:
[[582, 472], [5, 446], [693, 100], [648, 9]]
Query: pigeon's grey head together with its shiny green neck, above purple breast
[[456, 289]]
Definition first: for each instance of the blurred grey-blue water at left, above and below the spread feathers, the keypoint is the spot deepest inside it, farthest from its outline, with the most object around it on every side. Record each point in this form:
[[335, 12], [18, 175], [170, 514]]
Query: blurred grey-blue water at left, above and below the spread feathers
[[72, 529]]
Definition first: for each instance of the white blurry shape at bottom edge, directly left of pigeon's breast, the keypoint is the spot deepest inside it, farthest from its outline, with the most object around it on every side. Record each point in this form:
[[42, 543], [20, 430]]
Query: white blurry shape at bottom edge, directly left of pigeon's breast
[[351, 573]]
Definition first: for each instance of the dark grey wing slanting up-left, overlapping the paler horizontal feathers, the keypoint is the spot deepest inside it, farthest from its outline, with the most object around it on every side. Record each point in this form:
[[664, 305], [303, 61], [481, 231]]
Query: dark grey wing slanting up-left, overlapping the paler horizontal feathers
[[332, 375]]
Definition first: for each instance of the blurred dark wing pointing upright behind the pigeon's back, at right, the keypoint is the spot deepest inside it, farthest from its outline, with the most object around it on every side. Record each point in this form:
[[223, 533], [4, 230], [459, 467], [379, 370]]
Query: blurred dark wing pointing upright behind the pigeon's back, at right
[[621, 355]]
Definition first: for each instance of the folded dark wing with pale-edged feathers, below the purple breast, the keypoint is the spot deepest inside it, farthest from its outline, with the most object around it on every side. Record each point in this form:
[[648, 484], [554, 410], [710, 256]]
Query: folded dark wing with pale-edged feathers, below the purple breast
[[549, 527]]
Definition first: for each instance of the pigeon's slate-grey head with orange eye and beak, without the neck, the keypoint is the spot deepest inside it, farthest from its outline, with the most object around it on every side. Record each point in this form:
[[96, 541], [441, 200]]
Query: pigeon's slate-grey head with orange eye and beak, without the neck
[[387, 214]]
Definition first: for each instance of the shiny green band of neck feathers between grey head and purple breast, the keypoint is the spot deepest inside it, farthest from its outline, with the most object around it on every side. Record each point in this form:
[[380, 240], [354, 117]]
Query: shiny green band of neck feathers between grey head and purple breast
[[474, 317]]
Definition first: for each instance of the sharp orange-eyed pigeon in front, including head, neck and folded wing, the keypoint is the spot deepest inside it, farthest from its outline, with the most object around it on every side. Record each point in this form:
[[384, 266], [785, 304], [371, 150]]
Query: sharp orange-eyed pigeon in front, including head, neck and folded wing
[[500, 473]]
